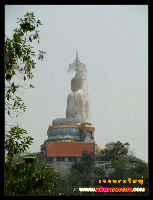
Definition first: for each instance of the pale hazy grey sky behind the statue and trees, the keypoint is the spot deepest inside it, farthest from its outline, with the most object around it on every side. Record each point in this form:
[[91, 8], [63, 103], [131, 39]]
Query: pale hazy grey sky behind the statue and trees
[[112, 41]]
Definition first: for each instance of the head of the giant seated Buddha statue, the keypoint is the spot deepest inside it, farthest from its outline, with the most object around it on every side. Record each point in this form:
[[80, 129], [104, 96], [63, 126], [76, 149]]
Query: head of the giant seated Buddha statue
[[76, 83]]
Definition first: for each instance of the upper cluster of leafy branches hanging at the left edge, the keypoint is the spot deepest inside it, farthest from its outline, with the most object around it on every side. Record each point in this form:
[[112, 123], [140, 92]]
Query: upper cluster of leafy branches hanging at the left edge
[[19, 60]]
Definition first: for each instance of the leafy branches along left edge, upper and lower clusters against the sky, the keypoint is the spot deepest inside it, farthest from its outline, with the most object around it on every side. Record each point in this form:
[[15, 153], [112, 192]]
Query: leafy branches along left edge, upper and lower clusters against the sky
[[19, 62]]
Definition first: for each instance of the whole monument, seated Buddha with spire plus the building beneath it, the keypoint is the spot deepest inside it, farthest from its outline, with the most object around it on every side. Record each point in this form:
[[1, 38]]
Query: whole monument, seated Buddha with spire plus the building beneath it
[[69, 136]]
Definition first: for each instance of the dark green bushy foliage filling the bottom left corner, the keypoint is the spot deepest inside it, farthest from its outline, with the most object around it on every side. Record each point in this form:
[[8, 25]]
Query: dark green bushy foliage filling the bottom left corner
[[29, 179]]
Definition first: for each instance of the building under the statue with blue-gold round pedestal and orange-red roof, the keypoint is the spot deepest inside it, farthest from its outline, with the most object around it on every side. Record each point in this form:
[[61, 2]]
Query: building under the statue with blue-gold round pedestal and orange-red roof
[[65, 145]]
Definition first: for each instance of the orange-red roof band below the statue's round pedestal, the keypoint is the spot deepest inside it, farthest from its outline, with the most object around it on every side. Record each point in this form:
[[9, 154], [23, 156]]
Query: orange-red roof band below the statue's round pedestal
[[68, 149]]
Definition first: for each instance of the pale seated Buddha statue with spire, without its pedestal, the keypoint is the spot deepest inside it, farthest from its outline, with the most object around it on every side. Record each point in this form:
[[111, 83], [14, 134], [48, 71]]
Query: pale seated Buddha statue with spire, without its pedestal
[[77, 110]]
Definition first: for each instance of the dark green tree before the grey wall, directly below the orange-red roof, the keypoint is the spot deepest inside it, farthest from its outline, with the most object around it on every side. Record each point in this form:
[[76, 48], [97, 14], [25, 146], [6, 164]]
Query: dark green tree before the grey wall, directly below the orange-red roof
[[82, 173]]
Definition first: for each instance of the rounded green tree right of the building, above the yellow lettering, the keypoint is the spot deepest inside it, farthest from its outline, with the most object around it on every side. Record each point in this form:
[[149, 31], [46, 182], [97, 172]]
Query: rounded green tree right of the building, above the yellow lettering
[[125, 165]]
